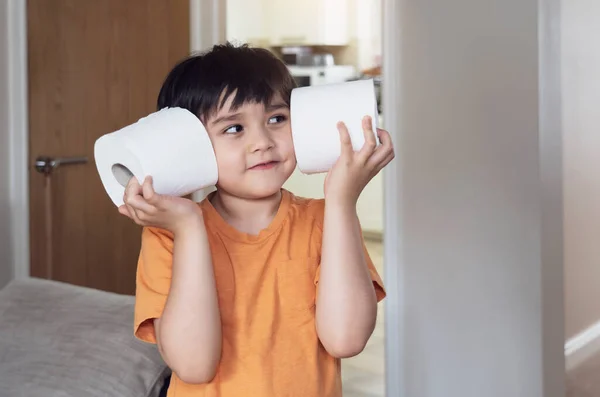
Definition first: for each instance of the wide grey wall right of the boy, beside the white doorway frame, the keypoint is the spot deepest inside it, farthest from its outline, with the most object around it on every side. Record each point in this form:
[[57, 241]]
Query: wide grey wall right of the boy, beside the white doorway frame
[[479, 197]]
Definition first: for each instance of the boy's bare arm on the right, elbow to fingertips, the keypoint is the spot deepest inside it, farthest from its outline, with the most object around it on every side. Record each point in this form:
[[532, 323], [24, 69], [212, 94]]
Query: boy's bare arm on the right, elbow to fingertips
[[346, 298]]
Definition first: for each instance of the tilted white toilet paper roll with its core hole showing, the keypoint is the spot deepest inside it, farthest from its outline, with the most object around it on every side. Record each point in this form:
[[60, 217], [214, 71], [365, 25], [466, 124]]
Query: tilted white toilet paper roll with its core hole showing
[[171, 145]]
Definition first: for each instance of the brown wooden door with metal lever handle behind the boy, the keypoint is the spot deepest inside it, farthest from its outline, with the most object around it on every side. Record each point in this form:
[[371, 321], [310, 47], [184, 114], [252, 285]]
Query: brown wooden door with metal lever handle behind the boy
[[94, 67]]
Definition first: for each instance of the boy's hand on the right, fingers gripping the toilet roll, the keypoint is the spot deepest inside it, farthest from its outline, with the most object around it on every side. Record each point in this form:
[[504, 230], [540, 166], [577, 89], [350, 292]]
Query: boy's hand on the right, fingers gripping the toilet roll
[[354, 170]]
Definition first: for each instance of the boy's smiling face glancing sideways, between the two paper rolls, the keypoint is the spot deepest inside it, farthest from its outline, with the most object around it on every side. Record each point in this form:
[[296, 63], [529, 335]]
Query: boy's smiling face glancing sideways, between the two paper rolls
[[254, 148]]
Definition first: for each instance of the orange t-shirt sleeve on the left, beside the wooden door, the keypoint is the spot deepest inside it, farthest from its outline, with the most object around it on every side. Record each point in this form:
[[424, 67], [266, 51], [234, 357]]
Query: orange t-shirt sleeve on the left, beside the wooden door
[[153, 280]]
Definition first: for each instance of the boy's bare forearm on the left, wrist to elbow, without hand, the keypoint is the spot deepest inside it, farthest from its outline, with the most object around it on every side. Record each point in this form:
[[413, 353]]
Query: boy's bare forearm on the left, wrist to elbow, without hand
[[189, 330]]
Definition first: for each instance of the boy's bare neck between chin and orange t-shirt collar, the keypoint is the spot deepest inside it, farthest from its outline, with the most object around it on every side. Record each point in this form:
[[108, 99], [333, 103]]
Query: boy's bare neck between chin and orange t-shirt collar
[[246, 215]]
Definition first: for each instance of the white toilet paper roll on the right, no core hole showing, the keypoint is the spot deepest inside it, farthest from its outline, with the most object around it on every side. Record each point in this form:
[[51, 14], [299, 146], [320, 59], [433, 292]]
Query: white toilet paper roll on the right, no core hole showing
[[315, 112]]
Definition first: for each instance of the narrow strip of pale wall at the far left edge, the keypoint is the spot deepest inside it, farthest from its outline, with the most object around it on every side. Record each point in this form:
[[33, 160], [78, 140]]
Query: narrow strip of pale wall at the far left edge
[[6, 272]]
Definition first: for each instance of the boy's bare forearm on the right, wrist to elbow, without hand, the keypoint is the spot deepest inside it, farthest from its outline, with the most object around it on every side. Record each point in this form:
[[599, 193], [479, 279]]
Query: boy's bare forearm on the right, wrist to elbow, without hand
[[346, 304]]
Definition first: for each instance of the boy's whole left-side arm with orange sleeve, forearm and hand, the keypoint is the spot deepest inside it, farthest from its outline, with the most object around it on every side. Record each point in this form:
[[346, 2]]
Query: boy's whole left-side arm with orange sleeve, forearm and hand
[[176, 297]]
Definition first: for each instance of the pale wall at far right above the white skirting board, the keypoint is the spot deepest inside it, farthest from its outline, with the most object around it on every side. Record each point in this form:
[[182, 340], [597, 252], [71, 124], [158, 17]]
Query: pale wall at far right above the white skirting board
[[581, 120]]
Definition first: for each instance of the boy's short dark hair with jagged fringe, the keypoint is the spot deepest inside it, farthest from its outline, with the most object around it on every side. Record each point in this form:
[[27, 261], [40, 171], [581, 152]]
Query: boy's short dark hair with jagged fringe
[[202, 83]]
